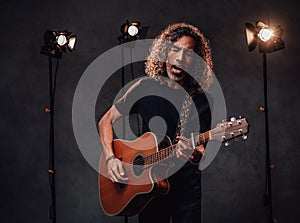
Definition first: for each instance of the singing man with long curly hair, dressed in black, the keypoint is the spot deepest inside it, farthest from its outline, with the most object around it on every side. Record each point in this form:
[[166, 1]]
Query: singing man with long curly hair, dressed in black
[[171, 66]]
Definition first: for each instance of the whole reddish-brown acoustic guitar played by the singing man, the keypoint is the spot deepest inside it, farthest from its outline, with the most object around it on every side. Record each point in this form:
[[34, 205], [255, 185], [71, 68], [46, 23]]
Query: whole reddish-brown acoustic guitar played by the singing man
[[146, 167]]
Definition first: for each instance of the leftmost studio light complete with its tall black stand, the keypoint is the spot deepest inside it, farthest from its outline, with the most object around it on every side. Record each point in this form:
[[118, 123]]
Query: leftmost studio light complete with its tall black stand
[[54, 44]]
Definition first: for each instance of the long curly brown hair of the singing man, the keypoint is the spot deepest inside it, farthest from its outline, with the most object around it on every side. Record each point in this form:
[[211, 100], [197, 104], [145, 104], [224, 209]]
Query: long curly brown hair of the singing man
[[155, 65]]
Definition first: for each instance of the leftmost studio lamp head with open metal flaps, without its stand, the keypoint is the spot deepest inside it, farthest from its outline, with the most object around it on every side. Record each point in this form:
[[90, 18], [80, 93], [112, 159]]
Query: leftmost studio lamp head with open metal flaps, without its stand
[[56, 42]]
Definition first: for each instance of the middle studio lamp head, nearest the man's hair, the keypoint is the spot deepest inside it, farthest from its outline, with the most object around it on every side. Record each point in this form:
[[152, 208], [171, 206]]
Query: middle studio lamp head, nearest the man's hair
[[131, 31]]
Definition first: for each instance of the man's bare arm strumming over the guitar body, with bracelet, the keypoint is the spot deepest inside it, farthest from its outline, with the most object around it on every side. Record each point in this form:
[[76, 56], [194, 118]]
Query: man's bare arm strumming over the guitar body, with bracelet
[[115, 168]]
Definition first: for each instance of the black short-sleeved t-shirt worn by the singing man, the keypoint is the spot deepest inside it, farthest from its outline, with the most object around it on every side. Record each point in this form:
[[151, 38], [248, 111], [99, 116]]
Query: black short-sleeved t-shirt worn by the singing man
[[159, 107]]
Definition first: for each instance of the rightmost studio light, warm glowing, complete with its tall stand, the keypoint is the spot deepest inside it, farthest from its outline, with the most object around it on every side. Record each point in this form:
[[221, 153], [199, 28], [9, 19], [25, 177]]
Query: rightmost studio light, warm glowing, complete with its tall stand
[[269, 40]]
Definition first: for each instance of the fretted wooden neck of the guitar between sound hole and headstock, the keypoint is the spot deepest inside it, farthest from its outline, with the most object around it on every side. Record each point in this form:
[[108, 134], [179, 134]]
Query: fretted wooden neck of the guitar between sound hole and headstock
[[168, 152]]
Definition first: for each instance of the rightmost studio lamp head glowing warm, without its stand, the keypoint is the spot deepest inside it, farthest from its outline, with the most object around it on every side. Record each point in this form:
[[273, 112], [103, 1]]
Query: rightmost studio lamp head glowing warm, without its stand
[[268, 38]]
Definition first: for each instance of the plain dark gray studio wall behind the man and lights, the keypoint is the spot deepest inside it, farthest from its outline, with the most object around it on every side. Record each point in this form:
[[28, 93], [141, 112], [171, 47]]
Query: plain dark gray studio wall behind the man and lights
[[232, 185]]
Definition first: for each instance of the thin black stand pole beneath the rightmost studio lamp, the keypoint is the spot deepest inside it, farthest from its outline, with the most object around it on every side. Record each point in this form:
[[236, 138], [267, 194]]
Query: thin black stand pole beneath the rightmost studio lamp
[[267, 197]]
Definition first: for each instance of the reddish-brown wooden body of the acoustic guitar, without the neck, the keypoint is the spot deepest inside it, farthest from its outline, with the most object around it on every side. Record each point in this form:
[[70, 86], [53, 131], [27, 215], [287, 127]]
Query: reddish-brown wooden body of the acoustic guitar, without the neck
[[143, 185]]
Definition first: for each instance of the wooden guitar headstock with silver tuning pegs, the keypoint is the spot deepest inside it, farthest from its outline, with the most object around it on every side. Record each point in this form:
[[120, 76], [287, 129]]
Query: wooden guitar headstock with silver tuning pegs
[[228, 130]]
